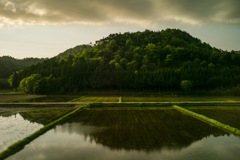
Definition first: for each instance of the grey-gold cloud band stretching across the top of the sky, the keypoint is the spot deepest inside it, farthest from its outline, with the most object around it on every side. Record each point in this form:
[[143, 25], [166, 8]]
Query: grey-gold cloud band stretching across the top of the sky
[[105, 11]]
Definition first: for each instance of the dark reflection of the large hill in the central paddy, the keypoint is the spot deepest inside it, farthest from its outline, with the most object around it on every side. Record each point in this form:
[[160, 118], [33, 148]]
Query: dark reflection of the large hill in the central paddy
[[140, 129]]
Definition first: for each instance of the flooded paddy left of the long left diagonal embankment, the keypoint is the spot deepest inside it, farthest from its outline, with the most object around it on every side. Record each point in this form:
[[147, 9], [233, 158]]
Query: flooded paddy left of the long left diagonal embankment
[[18, 123]]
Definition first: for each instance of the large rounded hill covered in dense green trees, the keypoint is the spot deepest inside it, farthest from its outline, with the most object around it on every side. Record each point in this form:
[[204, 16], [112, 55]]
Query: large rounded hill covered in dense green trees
[[165, 60]]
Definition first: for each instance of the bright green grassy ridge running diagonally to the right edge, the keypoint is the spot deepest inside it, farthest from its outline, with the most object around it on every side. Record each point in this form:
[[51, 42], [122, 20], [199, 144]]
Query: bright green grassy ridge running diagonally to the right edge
[[208, 120]]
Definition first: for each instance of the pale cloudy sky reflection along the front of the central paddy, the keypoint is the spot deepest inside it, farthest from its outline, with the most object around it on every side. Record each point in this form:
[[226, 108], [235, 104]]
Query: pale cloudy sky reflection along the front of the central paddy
[[71, 141]]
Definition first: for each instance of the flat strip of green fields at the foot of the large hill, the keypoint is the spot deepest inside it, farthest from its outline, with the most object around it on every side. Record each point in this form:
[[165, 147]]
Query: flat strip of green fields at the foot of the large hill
[[115, 97]]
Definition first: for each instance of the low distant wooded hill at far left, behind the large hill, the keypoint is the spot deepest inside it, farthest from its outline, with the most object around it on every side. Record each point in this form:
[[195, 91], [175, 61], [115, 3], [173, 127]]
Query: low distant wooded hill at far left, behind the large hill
[[8, 65]]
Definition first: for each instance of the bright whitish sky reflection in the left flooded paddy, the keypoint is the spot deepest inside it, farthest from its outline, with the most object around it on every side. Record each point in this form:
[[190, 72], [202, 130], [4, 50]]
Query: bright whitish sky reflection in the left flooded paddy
[[14, 128]]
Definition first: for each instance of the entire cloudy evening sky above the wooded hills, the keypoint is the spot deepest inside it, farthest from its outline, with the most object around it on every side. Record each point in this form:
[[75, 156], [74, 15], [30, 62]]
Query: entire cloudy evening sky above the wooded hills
[[45, 28]]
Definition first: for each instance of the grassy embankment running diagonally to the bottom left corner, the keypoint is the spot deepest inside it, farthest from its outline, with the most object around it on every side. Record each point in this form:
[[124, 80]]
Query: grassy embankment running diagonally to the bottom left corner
[[20, 144]]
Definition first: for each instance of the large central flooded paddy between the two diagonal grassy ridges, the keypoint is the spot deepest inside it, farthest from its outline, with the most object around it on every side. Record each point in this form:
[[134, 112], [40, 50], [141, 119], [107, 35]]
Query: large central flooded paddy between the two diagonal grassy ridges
[[132, 133]]
